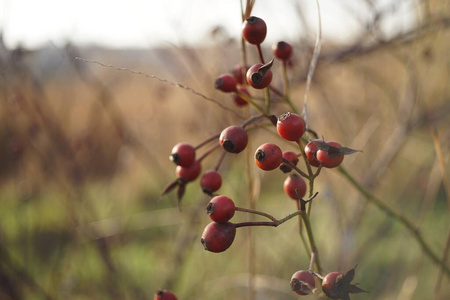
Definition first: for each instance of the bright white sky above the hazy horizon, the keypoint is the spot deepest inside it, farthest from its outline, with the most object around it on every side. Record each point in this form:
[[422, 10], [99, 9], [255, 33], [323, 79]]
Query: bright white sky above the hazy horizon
[[154, 23]]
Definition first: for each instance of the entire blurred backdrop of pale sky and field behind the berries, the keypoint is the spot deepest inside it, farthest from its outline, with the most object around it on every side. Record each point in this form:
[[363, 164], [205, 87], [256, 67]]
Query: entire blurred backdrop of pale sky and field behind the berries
[[84, 147]]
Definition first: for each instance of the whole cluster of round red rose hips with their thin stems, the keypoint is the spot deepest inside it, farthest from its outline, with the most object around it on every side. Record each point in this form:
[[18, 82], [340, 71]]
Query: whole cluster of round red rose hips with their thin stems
[[220, 233]]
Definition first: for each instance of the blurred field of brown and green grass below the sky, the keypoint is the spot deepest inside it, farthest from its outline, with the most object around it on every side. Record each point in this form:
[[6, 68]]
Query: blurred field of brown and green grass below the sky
[[85, 157]]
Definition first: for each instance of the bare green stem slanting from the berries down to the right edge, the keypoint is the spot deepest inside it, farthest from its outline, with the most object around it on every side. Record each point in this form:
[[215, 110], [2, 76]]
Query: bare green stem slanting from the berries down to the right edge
[[391, 212]]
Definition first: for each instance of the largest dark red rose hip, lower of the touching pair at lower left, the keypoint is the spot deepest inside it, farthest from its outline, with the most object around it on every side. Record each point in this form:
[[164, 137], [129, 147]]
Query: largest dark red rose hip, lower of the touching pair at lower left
[[218, 237]]
